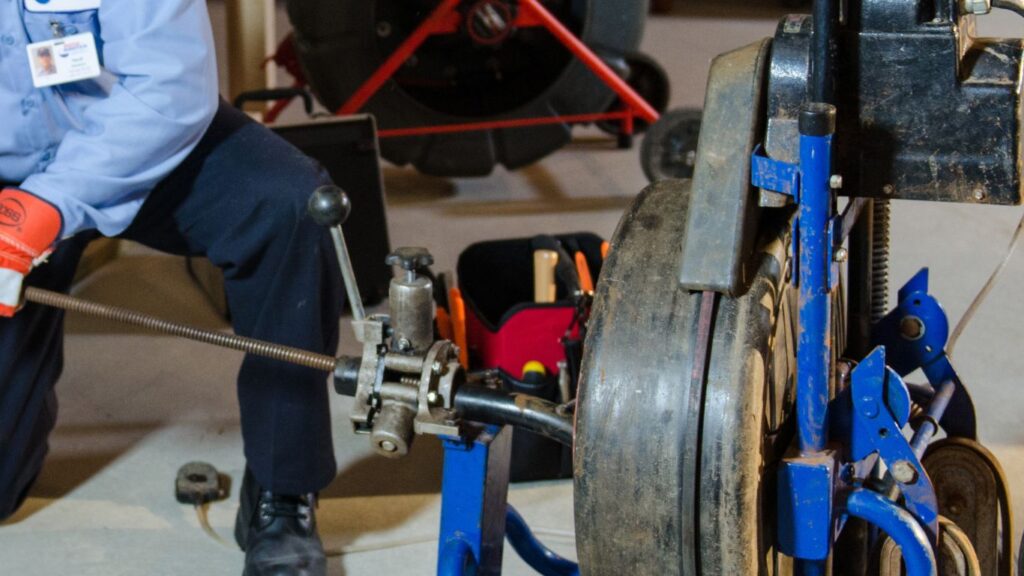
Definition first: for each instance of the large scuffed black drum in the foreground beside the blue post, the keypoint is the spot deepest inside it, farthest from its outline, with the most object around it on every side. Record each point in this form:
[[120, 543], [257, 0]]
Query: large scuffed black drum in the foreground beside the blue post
[[672, 479]]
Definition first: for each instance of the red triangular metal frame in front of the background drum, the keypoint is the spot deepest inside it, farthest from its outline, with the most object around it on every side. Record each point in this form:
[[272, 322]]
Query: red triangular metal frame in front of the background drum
[[446, 20]]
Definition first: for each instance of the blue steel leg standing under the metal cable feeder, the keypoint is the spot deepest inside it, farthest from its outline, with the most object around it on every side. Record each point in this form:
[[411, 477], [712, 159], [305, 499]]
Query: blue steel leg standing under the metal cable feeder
[[474, 503]]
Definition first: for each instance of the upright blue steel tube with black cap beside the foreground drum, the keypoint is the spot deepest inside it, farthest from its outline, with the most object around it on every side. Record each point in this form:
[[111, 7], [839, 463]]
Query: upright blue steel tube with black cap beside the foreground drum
[[818, 125]]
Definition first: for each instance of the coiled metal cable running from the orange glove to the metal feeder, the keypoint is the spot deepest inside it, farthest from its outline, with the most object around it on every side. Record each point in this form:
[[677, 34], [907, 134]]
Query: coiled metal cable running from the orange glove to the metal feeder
[[233, 342]]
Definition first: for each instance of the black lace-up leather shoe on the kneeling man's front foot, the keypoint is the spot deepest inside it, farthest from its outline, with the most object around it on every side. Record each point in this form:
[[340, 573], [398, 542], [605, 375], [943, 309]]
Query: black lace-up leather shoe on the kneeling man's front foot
[[279, 533]]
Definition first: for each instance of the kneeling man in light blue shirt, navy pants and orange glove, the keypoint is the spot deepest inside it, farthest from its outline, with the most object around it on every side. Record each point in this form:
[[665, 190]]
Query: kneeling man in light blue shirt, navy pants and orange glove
[[147, 151]]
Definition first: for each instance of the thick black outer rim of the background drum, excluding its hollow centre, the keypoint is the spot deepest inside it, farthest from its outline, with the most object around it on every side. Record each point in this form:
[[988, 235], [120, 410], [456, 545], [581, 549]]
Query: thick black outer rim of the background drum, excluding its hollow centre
[[338, 48]]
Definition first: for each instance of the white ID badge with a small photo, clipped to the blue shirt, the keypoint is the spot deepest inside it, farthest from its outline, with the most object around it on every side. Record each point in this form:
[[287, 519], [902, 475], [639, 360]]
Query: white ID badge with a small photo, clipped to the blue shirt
[[63, 61]]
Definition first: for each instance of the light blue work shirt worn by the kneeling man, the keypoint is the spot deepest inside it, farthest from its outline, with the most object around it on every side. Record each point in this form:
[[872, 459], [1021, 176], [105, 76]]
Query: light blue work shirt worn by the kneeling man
[[96, 149]]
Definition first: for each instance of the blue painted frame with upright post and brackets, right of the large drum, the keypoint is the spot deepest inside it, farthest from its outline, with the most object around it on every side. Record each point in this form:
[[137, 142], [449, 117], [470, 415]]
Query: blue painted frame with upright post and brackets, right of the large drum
[[822, 481]]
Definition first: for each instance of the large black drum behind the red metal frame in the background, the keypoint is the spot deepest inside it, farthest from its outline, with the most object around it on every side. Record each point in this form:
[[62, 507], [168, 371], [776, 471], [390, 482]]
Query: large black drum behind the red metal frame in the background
[[340, 45]]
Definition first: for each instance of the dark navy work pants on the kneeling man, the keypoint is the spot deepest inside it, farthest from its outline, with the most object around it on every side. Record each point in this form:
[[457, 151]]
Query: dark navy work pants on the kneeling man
[[239, 200]]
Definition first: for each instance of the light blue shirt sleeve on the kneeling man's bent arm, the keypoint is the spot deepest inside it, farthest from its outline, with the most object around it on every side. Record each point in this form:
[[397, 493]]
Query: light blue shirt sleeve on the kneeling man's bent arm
[[164, 98]]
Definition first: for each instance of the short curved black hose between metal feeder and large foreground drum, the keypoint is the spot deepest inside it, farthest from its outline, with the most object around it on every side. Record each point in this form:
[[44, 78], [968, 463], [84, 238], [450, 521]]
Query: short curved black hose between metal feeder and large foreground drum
[[502, 408]]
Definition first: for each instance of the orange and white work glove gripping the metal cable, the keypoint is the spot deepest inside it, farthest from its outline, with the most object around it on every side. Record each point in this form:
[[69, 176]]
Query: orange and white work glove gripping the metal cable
[[30, 228]]
